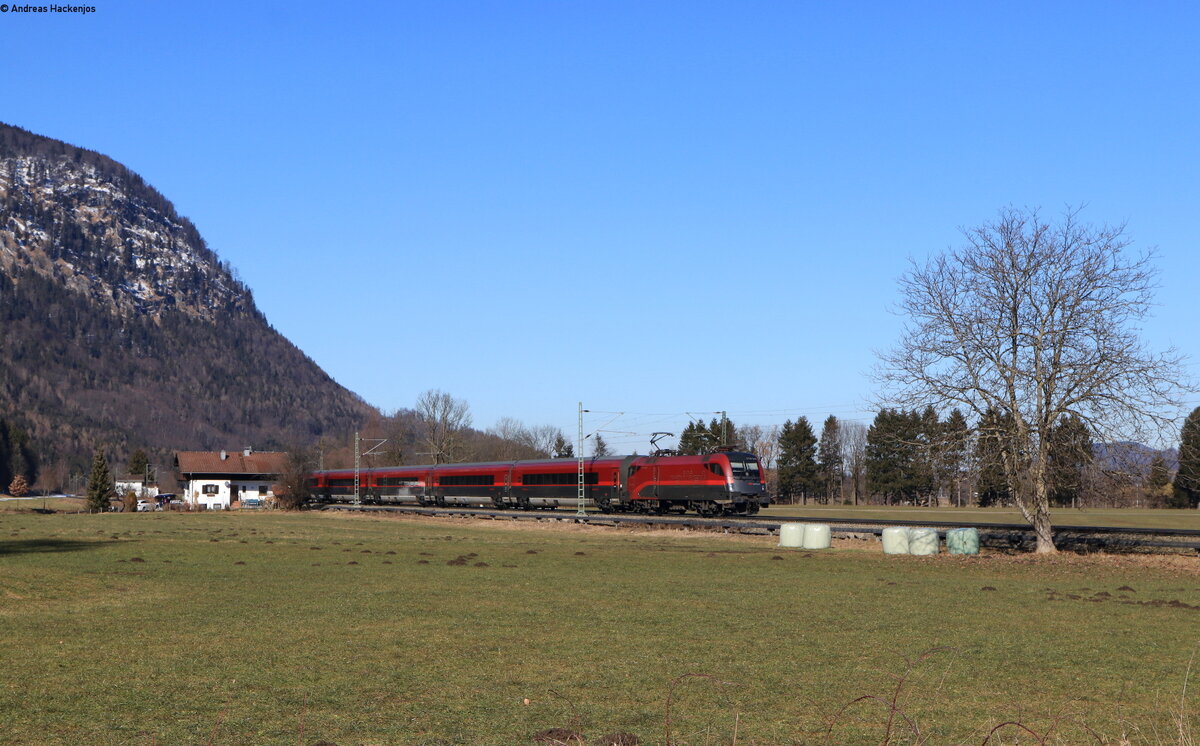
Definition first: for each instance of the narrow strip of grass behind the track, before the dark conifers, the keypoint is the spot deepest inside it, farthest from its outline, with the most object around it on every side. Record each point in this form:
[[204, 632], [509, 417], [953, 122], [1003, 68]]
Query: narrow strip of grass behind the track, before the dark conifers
[[1127, 518]]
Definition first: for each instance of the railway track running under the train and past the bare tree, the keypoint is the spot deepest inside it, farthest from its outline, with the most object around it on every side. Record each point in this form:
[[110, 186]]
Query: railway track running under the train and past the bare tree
[[997, 536]]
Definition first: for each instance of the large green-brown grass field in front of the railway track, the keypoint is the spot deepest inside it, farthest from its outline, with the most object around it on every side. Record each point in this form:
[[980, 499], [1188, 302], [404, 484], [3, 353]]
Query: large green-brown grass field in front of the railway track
[[293, 629]]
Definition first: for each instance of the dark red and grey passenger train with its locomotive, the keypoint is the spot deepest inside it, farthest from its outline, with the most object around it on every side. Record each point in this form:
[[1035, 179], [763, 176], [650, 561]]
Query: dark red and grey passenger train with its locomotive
[[711, 485]]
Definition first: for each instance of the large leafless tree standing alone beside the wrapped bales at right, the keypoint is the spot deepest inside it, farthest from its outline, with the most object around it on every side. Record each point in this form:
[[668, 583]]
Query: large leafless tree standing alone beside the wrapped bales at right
[[1035, 322]]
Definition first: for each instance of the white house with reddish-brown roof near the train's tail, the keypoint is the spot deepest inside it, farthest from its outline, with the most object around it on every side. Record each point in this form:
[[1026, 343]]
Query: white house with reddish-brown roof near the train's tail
[[218, 480]]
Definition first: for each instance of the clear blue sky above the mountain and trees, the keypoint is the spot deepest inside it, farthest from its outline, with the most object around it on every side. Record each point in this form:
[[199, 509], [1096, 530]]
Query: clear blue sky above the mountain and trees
[[656, 208]]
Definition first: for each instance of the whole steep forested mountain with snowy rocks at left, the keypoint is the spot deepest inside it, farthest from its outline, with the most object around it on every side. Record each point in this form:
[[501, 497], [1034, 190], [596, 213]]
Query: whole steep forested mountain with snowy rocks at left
[[123, 329]]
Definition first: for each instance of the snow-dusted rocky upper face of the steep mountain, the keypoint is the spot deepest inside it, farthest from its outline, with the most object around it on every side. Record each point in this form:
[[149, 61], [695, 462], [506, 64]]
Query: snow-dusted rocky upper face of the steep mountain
[[99, 230]]
